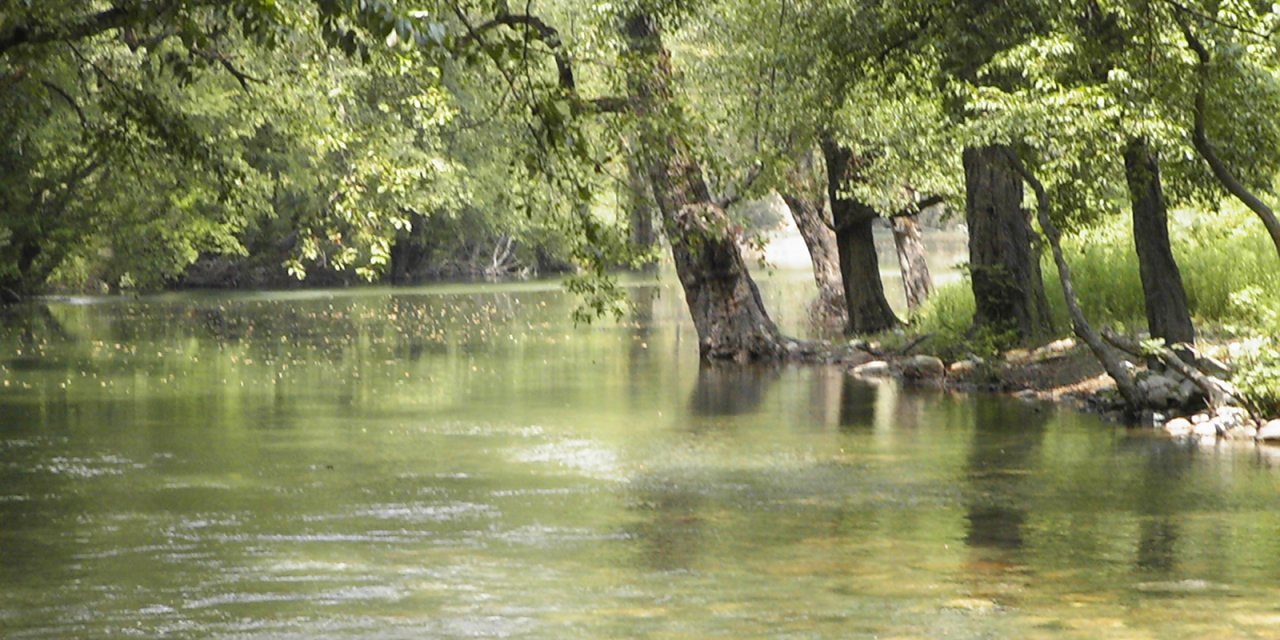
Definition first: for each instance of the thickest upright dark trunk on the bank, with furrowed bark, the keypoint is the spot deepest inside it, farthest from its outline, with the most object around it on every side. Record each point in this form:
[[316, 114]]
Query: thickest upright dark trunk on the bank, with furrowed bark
[[1002, 263]]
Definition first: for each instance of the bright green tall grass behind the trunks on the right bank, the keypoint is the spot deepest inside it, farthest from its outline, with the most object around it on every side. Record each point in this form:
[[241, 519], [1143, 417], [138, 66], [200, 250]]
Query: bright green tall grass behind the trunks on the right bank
[[1229, 268]]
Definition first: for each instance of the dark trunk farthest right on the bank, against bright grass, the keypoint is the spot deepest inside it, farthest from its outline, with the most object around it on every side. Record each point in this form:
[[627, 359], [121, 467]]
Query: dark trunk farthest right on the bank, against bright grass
[[1168, 316]]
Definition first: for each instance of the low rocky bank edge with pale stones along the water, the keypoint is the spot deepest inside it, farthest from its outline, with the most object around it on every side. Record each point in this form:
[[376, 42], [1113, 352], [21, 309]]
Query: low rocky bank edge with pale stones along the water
[[1068, 374]]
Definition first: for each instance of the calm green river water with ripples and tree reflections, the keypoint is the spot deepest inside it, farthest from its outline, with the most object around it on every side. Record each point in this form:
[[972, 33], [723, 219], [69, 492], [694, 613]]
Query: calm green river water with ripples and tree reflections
[[464, 463]]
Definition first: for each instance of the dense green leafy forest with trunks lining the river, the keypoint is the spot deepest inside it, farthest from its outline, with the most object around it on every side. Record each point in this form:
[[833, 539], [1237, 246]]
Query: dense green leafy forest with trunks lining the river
[[156, 144]]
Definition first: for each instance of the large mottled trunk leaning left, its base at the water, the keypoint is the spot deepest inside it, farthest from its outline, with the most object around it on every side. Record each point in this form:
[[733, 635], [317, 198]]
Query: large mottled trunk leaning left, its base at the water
[[723, 298]]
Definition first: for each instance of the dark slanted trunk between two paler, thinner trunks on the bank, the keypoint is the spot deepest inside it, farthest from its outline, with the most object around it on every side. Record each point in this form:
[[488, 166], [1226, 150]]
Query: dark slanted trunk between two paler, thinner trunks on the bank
[[860, 266]]
